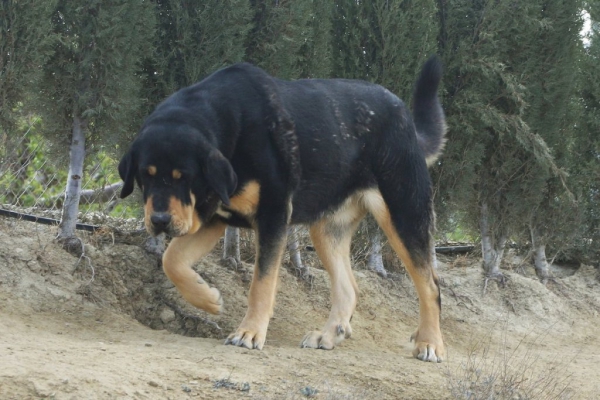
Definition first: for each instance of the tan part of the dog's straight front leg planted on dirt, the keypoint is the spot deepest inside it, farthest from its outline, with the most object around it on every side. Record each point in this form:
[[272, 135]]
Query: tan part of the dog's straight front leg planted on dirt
[[252, 332]]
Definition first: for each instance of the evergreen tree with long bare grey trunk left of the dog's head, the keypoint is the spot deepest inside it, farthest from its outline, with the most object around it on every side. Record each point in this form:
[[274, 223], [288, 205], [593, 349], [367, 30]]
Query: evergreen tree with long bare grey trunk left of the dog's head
[[90, 85]]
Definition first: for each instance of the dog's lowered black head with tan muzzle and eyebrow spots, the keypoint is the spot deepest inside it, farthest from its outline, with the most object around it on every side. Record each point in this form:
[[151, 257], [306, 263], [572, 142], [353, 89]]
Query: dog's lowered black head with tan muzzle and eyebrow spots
[[177, 171]]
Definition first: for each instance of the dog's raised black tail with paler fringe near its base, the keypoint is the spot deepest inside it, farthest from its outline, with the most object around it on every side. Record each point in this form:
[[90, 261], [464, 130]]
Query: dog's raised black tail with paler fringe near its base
[[427, 111]]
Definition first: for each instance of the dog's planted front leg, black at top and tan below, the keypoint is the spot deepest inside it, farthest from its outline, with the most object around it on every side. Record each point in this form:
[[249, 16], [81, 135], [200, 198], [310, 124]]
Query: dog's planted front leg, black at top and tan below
[[270, 244]]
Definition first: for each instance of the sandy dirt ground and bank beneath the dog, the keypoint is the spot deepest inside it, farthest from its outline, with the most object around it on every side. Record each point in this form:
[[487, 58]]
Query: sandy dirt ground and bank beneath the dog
[[109, 325]]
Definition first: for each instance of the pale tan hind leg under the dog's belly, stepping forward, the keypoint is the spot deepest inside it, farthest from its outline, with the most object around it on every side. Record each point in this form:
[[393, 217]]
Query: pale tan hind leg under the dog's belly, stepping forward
[[331, 237]]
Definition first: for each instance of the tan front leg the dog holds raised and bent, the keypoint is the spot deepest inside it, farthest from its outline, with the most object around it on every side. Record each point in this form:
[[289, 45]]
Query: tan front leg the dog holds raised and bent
[[178, 259]]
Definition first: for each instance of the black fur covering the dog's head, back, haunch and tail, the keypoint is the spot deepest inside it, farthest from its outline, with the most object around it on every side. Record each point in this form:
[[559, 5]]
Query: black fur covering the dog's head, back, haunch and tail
[[313, 142]]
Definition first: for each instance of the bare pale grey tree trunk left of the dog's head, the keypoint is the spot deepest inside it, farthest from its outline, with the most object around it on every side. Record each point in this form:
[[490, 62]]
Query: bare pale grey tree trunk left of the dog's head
[[68, 220]]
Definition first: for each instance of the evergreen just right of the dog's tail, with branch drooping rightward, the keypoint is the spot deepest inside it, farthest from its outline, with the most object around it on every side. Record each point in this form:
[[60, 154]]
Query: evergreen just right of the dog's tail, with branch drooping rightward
[[485, 103]]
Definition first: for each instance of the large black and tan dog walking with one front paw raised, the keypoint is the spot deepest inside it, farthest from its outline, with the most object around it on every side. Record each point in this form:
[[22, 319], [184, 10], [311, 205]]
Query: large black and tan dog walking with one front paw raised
[[245, 149]]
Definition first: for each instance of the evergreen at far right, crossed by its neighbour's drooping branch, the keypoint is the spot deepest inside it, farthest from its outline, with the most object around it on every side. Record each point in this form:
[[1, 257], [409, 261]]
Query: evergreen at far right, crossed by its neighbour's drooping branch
[[549, 69]]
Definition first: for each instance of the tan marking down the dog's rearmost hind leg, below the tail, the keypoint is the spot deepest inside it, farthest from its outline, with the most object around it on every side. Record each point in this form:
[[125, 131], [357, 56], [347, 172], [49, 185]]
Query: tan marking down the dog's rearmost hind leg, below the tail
[[429, 344]]
